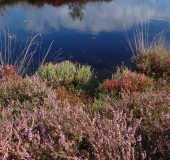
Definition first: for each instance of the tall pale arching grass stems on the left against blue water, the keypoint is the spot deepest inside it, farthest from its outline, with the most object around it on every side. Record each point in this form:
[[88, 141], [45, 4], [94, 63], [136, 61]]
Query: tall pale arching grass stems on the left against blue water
[[20, 59]]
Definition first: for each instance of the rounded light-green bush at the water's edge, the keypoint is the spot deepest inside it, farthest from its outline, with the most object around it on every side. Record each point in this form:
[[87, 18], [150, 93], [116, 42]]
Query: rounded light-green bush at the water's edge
[[65, 74]]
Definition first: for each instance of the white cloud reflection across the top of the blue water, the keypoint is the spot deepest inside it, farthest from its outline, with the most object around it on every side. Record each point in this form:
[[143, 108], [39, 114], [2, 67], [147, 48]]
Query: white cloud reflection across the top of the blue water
[[97, 17]]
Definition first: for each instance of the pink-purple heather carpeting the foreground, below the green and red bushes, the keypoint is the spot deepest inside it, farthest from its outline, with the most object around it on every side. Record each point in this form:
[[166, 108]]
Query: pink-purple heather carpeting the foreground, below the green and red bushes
[[39, 122]]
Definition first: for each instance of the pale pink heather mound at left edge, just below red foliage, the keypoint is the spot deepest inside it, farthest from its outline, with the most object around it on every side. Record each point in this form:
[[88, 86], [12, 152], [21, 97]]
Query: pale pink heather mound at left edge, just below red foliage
[[22, 89]]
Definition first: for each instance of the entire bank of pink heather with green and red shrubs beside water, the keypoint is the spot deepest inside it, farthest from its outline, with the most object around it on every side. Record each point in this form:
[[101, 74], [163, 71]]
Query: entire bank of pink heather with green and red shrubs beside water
[[63, 112]]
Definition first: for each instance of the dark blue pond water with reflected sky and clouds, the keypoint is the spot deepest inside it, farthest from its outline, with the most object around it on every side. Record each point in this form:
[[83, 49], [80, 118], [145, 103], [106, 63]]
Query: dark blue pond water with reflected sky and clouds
[[89, 33]]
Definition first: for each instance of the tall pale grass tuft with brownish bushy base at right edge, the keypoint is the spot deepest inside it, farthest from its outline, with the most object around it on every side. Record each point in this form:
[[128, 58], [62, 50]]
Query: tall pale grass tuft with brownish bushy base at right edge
[[149, 57]]
